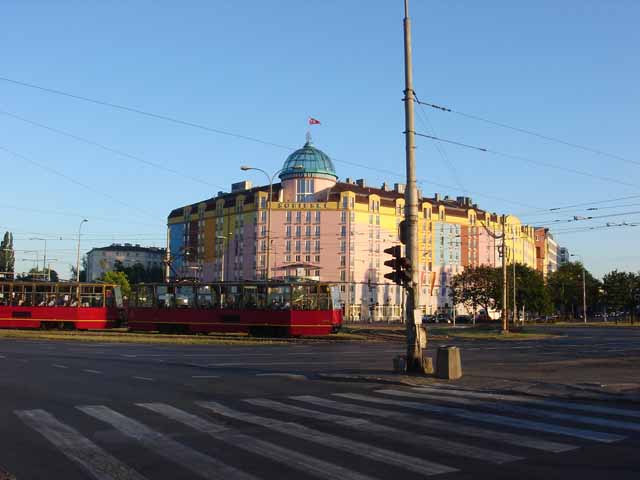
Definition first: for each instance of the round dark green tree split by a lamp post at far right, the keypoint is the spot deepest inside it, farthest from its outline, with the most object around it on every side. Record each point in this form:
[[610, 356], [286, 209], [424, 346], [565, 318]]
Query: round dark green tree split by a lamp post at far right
[[565, 289]]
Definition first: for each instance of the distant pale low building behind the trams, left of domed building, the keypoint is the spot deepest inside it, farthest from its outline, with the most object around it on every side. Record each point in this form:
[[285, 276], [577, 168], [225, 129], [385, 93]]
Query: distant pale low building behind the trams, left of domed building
[[103, 259]]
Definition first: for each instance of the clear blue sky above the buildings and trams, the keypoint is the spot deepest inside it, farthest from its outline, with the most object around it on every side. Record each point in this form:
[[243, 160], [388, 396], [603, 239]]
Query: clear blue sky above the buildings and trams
[[567, 70]]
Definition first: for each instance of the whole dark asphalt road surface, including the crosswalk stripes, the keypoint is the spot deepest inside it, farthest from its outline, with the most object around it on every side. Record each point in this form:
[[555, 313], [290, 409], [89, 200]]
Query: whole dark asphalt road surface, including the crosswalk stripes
[[124, 411]]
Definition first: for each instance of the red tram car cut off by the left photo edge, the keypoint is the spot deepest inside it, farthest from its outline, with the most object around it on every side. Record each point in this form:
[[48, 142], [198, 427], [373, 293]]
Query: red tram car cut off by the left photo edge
[[65, 305]]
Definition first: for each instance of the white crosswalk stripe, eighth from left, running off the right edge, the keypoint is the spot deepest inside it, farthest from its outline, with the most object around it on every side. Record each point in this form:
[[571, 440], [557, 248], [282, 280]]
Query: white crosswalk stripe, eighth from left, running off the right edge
[[501, 407]]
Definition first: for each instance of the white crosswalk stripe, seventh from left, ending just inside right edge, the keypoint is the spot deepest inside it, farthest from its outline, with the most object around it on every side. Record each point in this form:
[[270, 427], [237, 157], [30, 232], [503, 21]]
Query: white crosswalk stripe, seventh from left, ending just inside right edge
[[492, 418]]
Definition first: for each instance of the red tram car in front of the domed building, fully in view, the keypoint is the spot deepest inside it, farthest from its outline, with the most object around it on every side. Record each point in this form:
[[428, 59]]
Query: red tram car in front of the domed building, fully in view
[[259, 308]]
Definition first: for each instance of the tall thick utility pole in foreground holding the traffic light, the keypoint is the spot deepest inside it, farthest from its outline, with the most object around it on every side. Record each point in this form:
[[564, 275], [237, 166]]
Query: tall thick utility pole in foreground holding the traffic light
[[412, 313]]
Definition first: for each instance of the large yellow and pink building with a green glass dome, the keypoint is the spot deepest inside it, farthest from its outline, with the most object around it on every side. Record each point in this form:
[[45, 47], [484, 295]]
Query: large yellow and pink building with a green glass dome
[[337, 232]]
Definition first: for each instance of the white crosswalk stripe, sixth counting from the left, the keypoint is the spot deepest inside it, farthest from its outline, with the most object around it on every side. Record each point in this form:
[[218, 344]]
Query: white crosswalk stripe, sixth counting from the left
[[456, 428]]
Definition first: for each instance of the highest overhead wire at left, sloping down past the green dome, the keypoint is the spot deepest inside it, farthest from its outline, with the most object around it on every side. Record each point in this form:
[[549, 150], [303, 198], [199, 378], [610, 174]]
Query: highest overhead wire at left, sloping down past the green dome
[[230, 134]]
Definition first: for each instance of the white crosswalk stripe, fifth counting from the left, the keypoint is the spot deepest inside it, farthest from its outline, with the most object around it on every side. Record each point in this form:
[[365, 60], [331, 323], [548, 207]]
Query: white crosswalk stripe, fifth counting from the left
[[433, 443]]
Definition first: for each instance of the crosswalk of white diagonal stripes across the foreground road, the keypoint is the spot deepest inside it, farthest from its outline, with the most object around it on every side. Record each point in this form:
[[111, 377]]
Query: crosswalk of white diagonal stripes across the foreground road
[[415, 432]]
